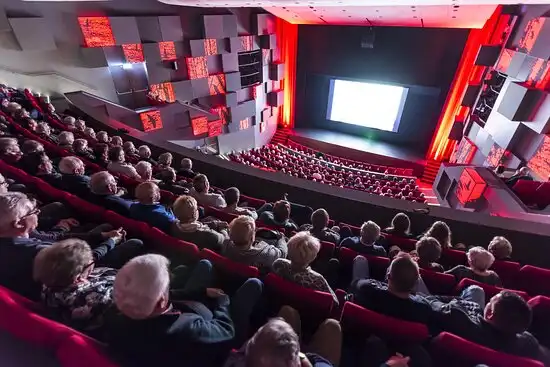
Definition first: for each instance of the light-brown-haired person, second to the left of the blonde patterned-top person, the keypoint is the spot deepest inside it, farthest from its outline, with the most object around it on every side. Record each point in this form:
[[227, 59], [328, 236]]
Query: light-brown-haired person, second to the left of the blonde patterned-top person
[[188, 228]]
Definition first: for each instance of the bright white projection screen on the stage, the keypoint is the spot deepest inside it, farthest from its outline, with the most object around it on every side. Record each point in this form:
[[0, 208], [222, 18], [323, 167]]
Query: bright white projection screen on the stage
[[367, 104]]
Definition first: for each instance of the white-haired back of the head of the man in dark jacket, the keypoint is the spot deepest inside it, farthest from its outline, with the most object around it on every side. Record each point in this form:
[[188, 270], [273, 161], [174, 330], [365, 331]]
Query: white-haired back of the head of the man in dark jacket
[[140, 284]]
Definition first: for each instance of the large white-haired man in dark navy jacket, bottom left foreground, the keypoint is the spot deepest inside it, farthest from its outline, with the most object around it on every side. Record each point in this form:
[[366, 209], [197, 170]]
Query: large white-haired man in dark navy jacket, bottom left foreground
[[159, 327]]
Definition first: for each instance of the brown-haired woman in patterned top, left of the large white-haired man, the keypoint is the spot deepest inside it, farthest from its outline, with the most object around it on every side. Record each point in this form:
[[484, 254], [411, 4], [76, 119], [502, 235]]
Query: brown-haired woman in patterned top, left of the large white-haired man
[[72, 286]]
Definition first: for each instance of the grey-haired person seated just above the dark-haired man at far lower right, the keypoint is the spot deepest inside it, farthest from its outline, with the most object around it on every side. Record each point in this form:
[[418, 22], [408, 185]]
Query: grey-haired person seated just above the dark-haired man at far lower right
[[479, 261]]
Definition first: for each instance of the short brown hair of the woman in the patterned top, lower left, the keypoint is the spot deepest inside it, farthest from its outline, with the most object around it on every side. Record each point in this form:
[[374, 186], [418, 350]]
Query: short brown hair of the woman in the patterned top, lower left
[[58, 265]]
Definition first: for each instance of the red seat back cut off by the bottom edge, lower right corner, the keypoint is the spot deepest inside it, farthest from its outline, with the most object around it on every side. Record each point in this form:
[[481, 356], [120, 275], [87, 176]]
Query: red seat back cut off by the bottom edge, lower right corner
[[451, 350]]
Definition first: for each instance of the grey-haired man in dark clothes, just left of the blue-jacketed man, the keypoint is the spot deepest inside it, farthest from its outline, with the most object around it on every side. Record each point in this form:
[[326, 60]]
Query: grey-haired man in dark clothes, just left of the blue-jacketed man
[[104, 190]]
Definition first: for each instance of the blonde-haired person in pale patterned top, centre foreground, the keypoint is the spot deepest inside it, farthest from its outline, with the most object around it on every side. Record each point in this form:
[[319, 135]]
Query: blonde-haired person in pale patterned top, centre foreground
[[302, 250]]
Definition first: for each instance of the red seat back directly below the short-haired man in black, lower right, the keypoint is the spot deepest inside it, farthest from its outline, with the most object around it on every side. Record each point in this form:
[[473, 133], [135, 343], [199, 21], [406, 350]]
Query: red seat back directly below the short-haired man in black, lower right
[[357, 320]]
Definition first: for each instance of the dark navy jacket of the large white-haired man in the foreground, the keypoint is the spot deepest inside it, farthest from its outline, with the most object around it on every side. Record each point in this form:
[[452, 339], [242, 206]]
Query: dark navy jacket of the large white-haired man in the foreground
[[188, 335]]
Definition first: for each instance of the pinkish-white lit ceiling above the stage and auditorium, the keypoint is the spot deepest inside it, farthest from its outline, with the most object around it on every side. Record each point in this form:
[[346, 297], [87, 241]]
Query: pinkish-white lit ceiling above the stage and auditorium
[[408, 13]]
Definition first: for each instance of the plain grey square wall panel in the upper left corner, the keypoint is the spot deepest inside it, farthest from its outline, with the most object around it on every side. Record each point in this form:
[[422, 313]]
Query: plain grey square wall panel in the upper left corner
[[33, 34]]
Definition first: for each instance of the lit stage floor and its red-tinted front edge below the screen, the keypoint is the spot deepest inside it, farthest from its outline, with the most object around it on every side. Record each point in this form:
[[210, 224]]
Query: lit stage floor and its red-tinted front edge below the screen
[[359, 148]]
